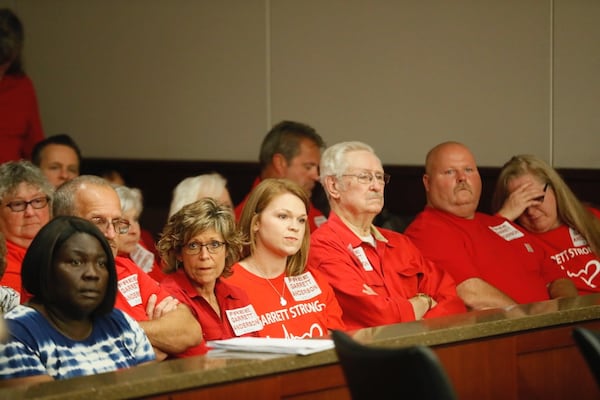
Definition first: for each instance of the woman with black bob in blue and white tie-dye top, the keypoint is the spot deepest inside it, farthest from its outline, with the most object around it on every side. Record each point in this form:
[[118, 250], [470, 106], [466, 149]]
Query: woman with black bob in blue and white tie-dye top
[[69, 328]]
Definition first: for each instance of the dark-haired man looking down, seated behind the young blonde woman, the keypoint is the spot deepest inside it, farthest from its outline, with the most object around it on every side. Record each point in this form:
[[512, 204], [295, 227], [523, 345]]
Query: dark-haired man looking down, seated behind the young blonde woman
[[291, 150]]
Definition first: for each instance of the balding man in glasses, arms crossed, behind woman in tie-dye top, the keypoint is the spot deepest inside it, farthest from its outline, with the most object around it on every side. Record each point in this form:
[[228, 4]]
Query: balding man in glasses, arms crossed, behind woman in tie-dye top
[[170, 326]]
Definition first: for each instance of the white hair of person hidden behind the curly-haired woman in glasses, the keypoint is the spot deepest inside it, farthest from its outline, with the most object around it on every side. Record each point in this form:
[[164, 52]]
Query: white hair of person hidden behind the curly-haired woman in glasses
[[195, 188]]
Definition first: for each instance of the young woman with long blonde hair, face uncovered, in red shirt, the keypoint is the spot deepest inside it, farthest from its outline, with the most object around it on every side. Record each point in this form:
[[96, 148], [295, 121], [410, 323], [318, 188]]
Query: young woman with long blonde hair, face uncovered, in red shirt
[[291, 300]]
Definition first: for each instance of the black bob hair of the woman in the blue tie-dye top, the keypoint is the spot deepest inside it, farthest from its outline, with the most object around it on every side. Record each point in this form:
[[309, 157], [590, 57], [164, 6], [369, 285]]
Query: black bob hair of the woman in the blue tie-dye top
[[37, 266]]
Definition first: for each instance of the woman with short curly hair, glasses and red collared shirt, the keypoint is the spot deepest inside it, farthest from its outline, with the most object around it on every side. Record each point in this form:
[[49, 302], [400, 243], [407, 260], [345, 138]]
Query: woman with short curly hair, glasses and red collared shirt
[[198, 246]]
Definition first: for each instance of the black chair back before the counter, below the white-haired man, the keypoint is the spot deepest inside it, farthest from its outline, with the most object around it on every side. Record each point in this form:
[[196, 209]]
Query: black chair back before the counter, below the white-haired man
[[391, 373]]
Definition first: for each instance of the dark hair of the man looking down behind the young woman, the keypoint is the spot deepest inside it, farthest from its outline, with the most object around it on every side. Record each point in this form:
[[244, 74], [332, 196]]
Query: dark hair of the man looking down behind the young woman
[[284, 138]]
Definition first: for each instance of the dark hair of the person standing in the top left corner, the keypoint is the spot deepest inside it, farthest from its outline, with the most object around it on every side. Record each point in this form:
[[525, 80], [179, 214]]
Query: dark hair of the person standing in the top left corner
[[12, 36]]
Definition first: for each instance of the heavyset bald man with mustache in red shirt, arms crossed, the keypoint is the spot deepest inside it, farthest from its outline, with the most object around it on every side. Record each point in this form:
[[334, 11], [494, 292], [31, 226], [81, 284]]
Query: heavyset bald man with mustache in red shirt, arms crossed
[[494, 262]]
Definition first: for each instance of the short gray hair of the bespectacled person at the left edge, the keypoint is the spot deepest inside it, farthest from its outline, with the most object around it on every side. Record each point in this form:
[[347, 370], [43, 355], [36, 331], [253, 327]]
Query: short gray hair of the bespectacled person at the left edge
[[13, 173]]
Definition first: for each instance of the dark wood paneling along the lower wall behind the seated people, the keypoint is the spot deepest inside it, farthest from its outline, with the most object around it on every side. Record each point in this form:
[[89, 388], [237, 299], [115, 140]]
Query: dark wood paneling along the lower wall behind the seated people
[[404, 195]]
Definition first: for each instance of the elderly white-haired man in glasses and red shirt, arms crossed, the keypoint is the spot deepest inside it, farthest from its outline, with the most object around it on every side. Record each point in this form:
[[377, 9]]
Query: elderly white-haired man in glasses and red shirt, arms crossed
[[378, 275]]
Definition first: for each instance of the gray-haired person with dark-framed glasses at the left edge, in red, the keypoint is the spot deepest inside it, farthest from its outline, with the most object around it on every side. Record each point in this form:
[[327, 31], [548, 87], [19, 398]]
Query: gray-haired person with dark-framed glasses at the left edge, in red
[[25, 206]]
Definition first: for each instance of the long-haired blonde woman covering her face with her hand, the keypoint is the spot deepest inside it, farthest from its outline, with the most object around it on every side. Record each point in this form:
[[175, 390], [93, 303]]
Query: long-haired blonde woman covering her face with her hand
[[531, 193]]
